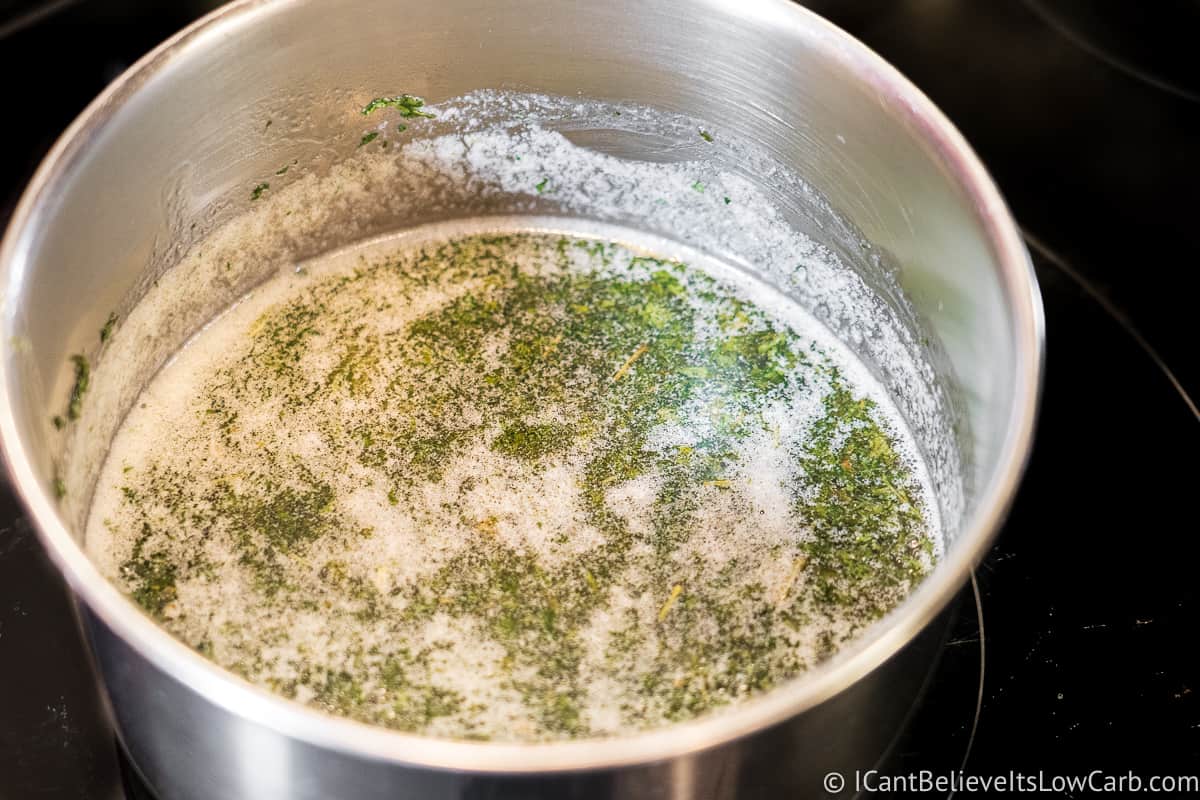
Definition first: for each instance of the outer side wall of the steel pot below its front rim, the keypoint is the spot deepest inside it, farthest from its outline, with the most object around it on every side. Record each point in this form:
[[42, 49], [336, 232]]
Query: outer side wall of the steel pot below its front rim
[[189, 748]]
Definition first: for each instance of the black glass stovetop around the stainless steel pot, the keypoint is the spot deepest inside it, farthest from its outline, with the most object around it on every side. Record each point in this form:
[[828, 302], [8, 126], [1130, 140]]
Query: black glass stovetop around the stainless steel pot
[[1081, 628]]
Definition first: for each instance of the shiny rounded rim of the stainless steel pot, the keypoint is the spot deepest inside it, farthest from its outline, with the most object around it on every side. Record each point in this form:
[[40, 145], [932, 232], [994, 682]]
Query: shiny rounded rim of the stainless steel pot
[[292, 719]]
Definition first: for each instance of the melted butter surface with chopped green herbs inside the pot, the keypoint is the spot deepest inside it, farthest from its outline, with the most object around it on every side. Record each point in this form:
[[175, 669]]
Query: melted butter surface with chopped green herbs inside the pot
[[514, 486]]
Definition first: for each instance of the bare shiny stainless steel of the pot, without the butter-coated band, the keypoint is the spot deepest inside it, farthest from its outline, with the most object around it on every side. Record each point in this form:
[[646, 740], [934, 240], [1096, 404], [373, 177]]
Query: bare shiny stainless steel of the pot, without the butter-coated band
[[177, 142]]
